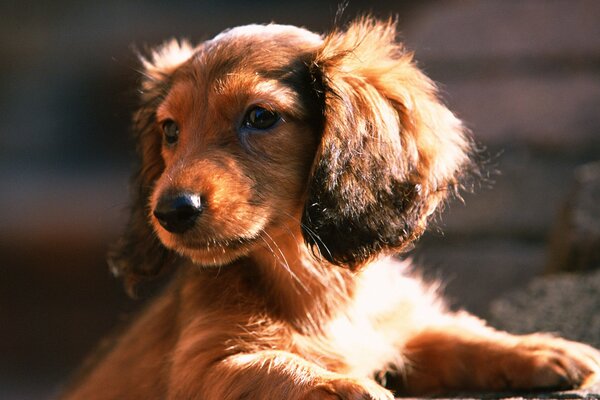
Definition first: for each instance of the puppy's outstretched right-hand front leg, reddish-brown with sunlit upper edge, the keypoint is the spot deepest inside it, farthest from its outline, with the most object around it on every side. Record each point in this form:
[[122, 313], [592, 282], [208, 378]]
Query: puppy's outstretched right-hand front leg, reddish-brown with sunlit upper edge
[[463, 354]]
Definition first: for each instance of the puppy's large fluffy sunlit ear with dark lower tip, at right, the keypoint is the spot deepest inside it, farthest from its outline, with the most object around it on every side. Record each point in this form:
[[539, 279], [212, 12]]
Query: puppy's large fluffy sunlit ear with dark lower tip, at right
[[390, 150]]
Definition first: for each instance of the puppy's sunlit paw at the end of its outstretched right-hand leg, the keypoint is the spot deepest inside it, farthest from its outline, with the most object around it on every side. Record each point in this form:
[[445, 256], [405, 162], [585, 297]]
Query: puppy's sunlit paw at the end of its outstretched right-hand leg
[[543, 362]]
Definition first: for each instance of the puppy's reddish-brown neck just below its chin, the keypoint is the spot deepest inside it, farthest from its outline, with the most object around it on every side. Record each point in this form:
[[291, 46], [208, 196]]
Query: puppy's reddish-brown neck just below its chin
[[283, 278]]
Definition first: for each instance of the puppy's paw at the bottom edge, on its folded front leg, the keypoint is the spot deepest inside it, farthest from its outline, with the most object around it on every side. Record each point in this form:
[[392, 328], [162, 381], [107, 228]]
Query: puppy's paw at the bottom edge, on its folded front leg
[[349, 389]]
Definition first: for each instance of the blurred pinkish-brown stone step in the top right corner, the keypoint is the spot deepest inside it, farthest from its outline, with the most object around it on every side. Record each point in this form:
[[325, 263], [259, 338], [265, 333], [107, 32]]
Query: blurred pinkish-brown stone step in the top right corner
[[492, 29]]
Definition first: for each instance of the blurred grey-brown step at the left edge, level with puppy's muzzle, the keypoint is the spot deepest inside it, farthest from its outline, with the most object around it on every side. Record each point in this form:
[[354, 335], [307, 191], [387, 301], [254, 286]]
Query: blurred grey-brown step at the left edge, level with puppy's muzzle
[[88, 204]]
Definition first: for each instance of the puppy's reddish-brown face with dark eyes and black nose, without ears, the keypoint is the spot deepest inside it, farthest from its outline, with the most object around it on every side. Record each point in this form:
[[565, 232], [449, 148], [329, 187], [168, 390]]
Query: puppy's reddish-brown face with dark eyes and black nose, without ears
[[238, 126]]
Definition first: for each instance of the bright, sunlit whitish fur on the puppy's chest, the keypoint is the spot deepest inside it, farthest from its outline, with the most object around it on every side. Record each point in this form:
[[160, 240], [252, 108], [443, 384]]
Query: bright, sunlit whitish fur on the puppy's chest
[[370, 333]]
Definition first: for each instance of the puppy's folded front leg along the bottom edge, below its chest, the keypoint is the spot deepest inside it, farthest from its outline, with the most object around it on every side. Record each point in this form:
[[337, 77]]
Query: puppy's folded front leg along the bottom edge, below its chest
[[275, 375]]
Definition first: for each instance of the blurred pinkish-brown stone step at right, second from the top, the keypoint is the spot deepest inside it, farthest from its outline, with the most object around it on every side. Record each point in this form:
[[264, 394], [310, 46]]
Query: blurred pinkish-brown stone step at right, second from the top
[[557, 113]]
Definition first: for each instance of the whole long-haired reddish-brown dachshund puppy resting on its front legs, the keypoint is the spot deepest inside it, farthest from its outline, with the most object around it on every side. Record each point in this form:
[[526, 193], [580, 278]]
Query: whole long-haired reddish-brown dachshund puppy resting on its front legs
[[280, 172]]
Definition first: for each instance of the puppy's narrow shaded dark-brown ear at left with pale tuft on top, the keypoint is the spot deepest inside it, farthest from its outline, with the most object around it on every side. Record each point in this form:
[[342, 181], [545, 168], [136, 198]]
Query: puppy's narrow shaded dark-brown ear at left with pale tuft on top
[[138, 253]]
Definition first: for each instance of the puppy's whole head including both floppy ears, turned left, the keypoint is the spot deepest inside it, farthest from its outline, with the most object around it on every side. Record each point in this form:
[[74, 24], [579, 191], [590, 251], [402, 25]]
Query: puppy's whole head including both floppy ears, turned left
[[265, 131]]
